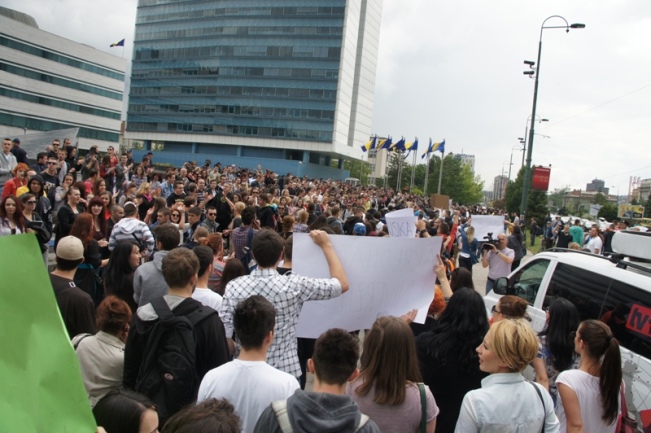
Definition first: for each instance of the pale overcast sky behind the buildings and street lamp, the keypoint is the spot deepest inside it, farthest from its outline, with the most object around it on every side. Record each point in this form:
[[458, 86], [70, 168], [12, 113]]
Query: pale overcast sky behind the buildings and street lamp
[[453, 71]]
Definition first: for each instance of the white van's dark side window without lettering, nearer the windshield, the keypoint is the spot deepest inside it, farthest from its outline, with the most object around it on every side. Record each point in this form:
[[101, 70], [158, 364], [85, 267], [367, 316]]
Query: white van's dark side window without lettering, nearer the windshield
[[583, 288]]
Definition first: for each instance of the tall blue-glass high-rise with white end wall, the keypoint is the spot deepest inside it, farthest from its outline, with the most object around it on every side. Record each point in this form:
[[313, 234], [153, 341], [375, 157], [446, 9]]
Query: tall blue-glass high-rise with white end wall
[[285, 84]]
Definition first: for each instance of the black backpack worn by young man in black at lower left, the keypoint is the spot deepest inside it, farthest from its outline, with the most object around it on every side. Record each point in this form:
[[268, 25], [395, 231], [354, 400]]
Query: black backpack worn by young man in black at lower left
[[168, 374]]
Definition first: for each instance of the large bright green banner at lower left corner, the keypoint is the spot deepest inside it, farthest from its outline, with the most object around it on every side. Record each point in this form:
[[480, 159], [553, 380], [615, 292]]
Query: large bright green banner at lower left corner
[[41, 389]]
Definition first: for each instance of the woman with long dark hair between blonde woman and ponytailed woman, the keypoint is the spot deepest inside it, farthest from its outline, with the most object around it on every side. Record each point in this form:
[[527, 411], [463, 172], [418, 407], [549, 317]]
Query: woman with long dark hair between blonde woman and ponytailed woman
[[556, 351]]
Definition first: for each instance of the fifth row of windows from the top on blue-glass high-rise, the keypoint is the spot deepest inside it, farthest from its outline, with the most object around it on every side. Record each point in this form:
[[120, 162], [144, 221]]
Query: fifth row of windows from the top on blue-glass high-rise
[[282, 92]]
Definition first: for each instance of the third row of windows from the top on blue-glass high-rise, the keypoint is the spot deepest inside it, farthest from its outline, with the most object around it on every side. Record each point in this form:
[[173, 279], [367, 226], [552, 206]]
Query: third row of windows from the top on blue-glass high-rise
[[193, 53]]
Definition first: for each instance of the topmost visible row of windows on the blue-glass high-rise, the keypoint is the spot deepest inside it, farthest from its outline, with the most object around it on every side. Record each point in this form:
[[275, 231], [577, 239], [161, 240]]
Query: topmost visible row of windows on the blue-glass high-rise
[[175, 15]]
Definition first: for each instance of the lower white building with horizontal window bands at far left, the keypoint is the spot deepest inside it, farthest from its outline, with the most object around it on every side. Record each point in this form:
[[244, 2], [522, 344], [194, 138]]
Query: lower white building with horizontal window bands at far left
[[51, 83]]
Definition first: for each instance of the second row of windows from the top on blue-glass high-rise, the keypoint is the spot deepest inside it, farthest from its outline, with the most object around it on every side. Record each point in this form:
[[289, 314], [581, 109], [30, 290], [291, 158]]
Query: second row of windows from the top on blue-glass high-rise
[[242, 31]]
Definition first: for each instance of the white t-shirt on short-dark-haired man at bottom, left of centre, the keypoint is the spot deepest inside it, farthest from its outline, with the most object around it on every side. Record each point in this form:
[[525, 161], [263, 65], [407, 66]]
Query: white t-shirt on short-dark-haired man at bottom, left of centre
[[250, 386]]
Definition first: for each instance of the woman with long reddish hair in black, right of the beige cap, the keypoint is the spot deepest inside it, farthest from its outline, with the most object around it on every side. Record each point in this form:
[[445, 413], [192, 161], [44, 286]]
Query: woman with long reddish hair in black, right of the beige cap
[[87, 276]]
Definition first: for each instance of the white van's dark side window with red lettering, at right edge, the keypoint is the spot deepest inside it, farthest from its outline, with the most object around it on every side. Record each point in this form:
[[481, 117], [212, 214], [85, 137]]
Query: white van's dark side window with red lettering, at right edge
[[628, 313]]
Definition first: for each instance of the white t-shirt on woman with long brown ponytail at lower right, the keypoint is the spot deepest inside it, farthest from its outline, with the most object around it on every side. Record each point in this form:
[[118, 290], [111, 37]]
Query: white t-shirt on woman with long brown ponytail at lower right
[[586, 388]]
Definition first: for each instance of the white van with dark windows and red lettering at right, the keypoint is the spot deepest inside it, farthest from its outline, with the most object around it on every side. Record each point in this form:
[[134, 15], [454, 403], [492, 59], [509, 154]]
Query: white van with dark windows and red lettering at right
[[615, 290]]
